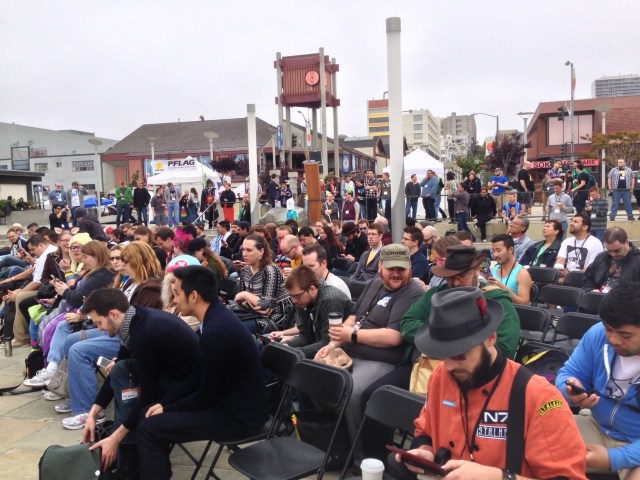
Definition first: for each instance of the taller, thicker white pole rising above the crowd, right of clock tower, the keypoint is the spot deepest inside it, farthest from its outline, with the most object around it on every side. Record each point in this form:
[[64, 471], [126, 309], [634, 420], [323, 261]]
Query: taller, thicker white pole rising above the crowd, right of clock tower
[[394, 79]]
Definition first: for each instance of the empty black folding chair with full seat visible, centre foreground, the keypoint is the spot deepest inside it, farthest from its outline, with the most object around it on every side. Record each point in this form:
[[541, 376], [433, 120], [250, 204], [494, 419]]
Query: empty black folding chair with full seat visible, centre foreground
[[285, 458]]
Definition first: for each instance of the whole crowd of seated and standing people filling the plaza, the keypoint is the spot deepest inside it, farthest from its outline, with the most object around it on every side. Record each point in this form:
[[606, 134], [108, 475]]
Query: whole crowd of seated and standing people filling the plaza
[[183, 355]]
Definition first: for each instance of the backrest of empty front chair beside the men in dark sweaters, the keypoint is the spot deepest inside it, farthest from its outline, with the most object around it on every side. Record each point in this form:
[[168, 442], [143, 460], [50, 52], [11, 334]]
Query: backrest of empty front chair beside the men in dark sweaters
[[321, 382]]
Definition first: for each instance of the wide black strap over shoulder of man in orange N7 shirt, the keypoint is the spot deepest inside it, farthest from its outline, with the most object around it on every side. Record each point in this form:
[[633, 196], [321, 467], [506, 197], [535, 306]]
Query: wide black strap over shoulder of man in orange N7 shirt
[[515, 421]]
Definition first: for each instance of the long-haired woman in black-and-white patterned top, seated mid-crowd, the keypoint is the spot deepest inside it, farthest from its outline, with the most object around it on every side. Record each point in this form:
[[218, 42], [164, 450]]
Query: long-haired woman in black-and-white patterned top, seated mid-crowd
[[262, 285]]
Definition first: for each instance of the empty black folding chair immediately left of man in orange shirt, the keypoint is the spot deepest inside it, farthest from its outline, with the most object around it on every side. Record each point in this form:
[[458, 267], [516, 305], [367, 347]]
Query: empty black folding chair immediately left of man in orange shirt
[[392, 407]]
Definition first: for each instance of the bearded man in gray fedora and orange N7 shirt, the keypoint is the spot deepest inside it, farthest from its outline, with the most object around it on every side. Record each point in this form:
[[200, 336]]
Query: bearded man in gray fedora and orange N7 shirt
[[470, 419]]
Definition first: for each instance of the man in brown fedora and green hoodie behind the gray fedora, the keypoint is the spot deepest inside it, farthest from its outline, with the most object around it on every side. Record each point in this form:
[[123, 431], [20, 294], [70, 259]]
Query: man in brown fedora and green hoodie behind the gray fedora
[[462, 269]]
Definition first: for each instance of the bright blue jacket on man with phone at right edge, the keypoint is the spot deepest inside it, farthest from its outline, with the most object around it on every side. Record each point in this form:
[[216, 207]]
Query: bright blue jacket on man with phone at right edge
[[591, 363]]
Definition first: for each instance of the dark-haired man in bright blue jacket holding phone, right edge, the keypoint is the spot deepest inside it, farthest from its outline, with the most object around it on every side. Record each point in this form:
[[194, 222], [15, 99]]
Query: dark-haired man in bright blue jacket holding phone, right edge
[[606, 366]]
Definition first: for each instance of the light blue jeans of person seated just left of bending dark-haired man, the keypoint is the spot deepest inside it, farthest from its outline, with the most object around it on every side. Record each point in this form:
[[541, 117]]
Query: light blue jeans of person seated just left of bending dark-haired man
[[81, 365]]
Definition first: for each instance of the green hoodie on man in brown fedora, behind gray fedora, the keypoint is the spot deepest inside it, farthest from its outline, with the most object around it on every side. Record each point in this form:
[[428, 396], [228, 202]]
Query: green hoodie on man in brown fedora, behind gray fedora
[[508, 331]]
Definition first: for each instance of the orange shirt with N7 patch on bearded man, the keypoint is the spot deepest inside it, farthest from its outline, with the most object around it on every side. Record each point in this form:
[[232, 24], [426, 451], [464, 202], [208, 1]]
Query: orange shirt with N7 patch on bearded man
[[553, 446]]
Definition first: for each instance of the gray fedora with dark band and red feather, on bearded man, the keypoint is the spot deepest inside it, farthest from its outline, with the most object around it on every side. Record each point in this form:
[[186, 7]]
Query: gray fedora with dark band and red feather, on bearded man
[[460, 319]]
